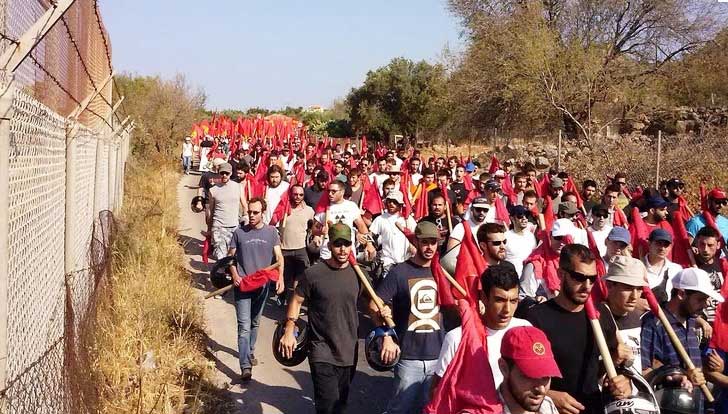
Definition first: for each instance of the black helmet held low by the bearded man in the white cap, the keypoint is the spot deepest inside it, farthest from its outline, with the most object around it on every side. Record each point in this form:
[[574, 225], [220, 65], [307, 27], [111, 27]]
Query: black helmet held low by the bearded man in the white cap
[[673, 398]]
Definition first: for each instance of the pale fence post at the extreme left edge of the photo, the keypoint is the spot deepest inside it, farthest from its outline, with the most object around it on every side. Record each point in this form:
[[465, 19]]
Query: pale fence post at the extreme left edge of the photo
[[6, 102]]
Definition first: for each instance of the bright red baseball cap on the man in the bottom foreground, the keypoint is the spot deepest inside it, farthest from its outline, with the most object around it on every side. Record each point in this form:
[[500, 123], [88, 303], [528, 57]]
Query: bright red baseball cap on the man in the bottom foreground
[[531, 351]]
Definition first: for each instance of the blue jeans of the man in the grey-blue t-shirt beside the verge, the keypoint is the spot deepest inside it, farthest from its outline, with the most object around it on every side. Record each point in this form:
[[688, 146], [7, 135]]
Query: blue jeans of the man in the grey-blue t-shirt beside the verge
[[248, 308]]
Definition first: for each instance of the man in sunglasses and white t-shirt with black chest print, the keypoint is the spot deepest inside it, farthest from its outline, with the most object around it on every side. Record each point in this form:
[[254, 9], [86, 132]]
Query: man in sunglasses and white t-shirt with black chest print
[[344, 211]]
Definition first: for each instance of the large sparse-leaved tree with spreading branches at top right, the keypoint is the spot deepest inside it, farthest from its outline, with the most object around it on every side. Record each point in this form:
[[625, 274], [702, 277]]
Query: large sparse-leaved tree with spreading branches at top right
[[578, 55]]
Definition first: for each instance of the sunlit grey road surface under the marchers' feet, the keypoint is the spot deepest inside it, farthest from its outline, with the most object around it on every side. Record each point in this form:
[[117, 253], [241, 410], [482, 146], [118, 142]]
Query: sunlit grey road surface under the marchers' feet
[[274, 388]]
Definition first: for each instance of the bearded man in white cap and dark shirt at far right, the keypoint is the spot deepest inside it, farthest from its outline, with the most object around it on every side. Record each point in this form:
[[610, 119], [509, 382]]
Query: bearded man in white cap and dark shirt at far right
[[691, 292]]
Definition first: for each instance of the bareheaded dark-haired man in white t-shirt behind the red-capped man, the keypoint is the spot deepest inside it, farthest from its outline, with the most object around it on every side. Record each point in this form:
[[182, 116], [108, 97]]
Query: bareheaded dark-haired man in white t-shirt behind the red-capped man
[[500, 297]]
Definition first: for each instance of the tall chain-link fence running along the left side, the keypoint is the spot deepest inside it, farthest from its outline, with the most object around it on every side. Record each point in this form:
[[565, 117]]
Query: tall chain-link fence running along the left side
[[63, 149]]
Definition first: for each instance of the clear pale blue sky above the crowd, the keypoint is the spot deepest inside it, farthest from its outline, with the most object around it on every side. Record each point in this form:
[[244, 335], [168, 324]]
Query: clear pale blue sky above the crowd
[[274, 53]]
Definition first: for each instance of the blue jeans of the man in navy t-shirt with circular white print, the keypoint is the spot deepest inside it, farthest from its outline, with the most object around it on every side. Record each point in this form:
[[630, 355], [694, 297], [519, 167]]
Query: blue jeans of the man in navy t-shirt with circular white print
[[412, 379]]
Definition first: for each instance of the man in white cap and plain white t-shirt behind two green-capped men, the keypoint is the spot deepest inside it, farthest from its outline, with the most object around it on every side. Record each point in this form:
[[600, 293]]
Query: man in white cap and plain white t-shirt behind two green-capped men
[[389, 227]]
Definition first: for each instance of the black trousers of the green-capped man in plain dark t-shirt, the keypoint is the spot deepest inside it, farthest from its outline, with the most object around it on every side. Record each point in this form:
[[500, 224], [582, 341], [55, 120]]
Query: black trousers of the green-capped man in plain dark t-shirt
[[331, 387]]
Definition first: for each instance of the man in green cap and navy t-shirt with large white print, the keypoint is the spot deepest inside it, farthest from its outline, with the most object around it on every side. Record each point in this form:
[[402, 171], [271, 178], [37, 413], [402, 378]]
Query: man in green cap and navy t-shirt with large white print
[[411, 291]]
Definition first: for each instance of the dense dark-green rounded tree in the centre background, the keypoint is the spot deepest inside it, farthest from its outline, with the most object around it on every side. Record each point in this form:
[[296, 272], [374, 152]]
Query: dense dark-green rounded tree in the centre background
[[402, 97]]
